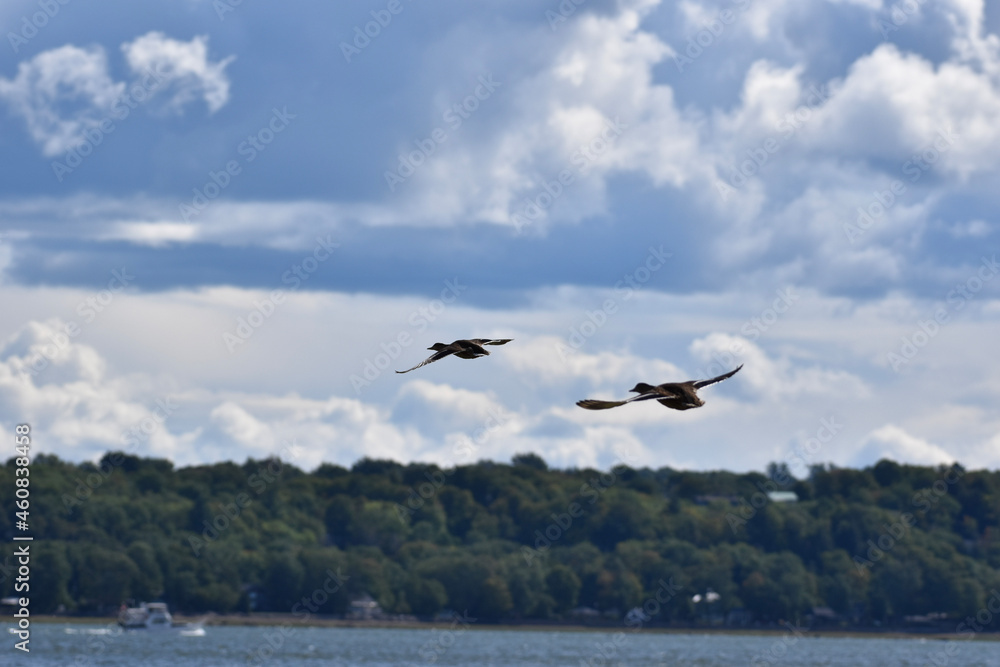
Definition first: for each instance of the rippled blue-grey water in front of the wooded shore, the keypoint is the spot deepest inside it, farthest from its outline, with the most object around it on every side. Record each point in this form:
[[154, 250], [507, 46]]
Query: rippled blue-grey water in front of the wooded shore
[[66, 645]]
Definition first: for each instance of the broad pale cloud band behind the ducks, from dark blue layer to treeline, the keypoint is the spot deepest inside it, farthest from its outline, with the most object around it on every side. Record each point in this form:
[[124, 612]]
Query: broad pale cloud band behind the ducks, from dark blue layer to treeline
[[135, 377]]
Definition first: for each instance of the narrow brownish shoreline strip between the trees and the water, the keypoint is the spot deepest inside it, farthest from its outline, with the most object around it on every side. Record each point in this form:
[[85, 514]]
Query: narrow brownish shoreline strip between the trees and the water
[[265, 619]]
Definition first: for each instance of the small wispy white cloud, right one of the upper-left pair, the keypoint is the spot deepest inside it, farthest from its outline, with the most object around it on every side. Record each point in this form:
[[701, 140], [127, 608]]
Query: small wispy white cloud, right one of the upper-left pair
[[185, 65]]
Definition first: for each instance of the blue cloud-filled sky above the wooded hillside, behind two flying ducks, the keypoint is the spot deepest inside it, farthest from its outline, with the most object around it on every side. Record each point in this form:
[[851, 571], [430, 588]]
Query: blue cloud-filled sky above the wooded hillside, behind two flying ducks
[[224, 224]]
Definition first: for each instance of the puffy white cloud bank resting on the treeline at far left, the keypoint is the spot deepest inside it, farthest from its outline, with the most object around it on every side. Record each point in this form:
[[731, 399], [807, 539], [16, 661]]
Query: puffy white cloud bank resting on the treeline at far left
[[63, 389]]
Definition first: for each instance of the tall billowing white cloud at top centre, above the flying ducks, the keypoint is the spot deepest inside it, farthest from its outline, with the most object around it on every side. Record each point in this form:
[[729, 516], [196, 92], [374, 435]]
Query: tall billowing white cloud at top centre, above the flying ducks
[[587, 111]]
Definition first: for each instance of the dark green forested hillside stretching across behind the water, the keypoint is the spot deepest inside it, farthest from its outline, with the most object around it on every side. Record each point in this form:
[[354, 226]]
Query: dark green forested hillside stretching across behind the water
[[511, 541]]
